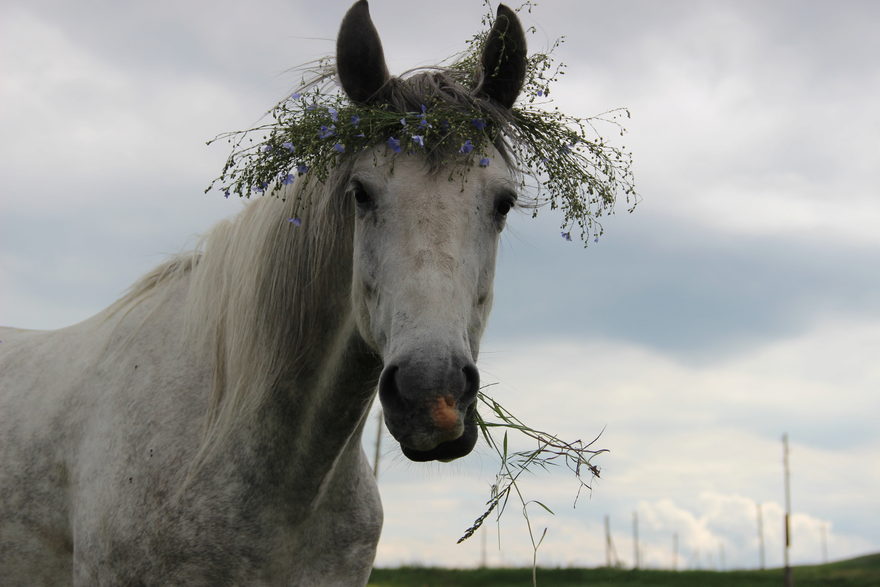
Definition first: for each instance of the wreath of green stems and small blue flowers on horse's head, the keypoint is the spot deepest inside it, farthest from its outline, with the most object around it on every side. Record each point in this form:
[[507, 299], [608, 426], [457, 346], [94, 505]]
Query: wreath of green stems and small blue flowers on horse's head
[[572, 167]]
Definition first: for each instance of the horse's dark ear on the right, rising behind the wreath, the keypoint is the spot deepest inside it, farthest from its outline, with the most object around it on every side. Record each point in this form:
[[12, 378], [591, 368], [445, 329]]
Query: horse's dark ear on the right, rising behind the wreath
[[504, 59]]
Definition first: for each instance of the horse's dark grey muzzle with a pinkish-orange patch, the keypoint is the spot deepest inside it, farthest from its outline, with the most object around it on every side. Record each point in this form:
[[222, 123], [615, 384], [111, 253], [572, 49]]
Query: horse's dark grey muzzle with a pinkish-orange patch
[[430, 408]]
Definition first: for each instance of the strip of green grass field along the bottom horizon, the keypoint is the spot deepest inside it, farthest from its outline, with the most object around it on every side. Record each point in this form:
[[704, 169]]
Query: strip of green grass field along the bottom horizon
[[862, 572]]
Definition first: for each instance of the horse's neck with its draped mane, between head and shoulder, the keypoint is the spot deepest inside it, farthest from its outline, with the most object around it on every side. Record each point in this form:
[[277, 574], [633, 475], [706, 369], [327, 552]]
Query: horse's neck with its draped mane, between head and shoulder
[[293, 379]]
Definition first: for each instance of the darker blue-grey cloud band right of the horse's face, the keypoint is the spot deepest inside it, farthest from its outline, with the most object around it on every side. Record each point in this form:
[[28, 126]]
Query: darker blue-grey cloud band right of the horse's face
[[681, 290]]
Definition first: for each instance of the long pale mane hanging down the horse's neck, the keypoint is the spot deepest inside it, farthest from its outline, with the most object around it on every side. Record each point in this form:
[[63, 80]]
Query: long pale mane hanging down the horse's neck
[[257, 292]]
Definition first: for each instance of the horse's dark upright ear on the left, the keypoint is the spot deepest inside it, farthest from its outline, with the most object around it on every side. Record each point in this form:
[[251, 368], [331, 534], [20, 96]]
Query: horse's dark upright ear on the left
[[360, 61]]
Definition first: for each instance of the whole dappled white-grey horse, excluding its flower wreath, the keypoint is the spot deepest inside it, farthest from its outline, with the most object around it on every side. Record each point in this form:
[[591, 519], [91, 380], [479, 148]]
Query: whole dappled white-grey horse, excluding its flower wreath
[[206, 428]]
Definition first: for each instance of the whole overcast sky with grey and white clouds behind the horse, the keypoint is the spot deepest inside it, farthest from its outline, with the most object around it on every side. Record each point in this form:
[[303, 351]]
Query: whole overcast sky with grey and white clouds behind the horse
[[739, 302]]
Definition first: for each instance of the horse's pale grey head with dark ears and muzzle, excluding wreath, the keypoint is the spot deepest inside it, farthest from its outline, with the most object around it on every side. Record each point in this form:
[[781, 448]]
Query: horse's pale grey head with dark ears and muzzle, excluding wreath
[[425, 242]]
